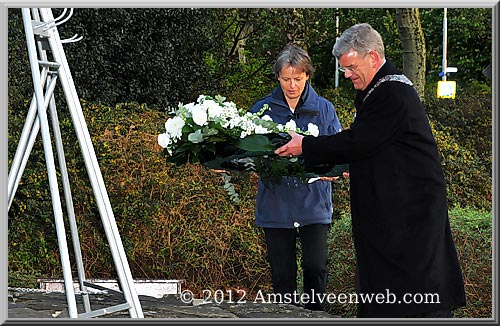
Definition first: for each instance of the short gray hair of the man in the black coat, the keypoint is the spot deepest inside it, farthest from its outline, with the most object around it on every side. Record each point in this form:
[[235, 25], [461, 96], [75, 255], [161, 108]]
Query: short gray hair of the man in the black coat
[[361, 38]]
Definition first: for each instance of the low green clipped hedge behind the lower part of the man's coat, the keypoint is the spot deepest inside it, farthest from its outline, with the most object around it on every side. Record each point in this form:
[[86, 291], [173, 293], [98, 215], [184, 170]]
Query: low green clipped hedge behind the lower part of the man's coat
[[472, 232]]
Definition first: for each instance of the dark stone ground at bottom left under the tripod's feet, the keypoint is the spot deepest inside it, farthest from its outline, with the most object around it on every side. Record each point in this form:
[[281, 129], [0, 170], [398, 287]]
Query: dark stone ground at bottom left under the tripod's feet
[[54, 305]]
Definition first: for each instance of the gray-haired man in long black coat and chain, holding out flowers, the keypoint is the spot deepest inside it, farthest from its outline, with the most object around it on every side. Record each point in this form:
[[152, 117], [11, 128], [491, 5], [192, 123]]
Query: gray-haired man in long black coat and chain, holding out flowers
[[404, 248]]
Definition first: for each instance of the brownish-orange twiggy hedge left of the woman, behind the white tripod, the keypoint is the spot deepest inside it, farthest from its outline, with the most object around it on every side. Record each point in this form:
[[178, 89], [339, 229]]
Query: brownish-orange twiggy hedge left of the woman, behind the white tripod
[[175, 222]]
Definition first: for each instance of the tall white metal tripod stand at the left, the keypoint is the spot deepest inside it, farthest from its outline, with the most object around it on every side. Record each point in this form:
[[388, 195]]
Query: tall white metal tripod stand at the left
[[42, 36]]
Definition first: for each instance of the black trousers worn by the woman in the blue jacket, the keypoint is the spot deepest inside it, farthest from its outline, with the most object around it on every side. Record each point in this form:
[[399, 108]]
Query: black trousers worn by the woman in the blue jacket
[[282, 256]]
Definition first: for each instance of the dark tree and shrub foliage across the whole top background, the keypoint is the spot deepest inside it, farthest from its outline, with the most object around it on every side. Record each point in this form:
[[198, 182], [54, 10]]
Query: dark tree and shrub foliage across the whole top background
[[161, 56]]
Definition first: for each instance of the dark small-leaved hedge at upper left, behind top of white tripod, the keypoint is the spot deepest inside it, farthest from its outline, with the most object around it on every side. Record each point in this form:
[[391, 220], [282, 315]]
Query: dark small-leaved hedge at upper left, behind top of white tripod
[[153, 55]]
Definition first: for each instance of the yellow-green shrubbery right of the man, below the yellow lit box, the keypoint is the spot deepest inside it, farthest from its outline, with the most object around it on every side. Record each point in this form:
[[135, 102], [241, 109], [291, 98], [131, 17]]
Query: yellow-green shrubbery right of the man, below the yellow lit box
[[463, 131]]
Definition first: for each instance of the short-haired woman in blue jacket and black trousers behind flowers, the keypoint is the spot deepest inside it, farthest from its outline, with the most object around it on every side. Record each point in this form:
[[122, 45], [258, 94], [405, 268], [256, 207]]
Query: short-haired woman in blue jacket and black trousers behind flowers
[[296, 209]]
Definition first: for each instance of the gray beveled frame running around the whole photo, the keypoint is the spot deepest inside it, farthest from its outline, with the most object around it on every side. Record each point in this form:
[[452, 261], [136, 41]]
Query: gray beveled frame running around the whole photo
[[6, 4]]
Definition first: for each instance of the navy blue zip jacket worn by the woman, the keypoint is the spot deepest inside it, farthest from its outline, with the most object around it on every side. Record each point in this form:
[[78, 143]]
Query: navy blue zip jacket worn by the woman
[[293, 203]]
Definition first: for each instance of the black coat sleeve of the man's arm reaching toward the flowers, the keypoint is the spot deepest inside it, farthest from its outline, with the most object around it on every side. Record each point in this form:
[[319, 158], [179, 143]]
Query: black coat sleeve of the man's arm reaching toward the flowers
[[378, 123]]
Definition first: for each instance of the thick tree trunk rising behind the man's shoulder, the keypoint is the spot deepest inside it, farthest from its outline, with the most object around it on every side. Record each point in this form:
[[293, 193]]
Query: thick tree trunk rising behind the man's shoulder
[[413, 42]]
